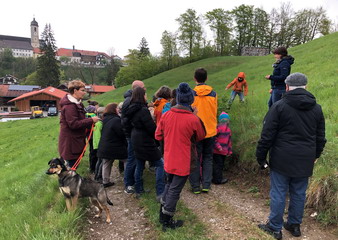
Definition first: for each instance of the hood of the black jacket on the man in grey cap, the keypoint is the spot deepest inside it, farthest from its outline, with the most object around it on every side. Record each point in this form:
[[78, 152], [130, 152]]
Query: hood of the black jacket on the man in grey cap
[[300, 99]]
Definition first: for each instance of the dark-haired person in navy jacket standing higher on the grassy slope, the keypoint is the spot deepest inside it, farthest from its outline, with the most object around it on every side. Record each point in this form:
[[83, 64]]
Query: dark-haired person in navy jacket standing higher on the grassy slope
[[281, 69]]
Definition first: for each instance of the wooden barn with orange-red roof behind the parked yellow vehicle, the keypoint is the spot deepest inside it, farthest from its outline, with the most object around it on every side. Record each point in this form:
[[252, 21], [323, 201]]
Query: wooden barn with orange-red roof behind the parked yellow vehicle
[[49, 96]]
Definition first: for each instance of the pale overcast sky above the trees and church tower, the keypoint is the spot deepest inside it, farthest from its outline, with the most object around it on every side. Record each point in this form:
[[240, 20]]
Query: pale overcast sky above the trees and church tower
[[104, 24]]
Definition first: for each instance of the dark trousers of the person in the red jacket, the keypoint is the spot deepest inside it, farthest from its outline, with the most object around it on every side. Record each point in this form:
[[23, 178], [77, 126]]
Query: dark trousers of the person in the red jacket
[[173, 188]]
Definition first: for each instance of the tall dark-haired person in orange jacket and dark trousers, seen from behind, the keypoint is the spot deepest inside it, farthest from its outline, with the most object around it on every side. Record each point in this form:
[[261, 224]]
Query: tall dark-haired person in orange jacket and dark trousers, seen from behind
[[205, 103]]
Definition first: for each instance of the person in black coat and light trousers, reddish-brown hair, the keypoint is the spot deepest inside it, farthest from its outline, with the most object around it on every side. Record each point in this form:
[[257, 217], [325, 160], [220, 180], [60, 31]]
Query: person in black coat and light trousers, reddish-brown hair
[[113, 143]]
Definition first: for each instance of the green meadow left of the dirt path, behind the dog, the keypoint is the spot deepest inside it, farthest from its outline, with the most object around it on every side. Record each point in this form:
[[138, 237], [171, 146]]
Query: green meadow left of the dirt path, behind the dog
[[31, 207]]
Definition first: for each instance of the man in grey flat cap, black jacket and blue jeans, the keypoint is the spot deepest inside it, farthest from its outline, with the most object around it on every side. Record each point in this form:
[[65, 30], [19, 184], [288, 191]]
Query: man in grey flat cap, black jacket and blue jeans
[[294, 135]]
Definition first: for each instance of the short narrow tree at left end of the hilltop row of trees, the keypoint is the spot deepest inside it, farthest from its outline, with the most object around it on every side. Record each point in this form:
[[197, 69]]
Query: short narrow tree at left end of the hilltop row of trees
[[169, 48]]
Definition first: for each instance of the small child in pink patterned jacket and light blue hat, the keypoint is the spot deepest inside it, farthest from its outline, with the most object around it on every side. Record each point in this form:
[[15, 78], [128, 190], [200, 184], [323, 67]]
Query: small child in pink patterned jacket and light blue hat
[[222, 148]]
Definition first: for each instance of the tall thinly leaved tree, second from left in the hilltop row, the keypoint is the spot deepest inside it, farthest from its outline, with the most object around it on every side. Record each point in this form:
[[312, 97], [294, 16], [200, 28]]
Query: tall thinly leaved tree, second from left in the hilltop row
[[190, 31]]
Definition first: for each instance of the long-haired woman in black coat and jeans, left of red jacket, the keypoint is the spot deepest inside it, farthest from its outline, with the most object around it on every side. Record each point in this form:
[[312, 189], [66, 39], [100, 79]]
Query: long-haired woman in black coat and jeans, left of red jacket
[[142, 128]]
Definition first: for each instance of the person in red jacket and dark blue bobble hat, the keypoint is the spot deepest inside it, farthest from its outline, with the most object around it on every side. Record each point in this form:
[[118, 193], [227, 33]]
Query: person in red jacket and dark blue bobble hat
[[180, 129]]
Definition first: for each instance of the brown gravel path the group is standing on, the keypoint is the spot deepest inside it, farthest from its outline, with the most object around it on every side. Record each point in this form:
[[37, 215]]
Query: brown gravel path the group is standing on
[[229, 211]]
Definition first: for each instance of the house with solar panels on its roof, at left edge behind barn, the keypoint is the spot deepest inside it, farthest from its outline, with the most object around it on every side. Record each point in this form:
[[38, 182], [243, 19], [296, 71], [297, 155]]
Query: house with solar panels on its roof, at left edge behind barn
[[9, 92]]
